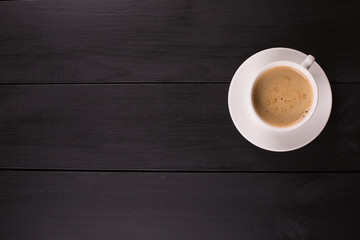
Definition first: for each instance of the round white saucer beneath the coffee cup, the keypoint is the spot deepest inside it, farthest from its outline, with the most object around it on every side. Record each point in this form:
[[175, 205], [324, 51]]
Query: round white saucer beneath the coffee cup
[[267, 138]]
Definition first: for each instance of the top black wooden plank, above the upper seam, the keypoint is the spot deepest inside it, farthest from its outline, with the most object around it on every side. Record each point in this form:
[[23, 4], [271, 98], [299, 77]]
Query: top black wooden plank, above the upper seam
[[61, 41]]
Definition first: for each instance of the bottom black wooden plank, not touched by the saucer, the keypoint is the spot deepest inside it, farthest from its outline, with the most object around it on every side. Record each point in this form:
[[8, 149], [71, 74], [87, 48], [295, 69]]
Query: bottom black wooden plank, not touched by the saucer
[[80, 205]]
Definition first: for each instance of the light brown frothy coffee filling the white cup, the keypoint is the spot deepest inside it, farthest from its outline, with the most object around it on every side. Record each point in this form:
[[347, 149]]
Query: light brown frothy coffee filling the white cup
[[282, 96]]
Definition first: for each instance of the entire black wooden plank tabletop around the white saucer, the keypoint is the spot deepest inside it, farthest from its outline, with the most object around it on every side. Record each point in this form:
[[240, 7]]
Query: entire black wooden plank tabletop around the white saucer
[[114, 122]]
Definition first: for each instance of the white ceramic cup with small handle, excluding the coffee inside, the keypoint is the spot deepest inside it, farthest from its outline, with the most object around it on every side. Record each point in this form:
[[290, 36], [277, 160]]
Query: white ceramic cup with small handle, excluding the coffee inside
[[303, 68]]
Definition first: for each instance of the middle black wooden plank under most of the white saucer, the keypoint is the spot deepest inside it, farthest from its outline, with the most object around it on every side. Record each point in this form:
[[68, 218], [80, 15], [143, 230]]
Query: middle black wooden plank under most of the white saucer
[[156, 127]]
